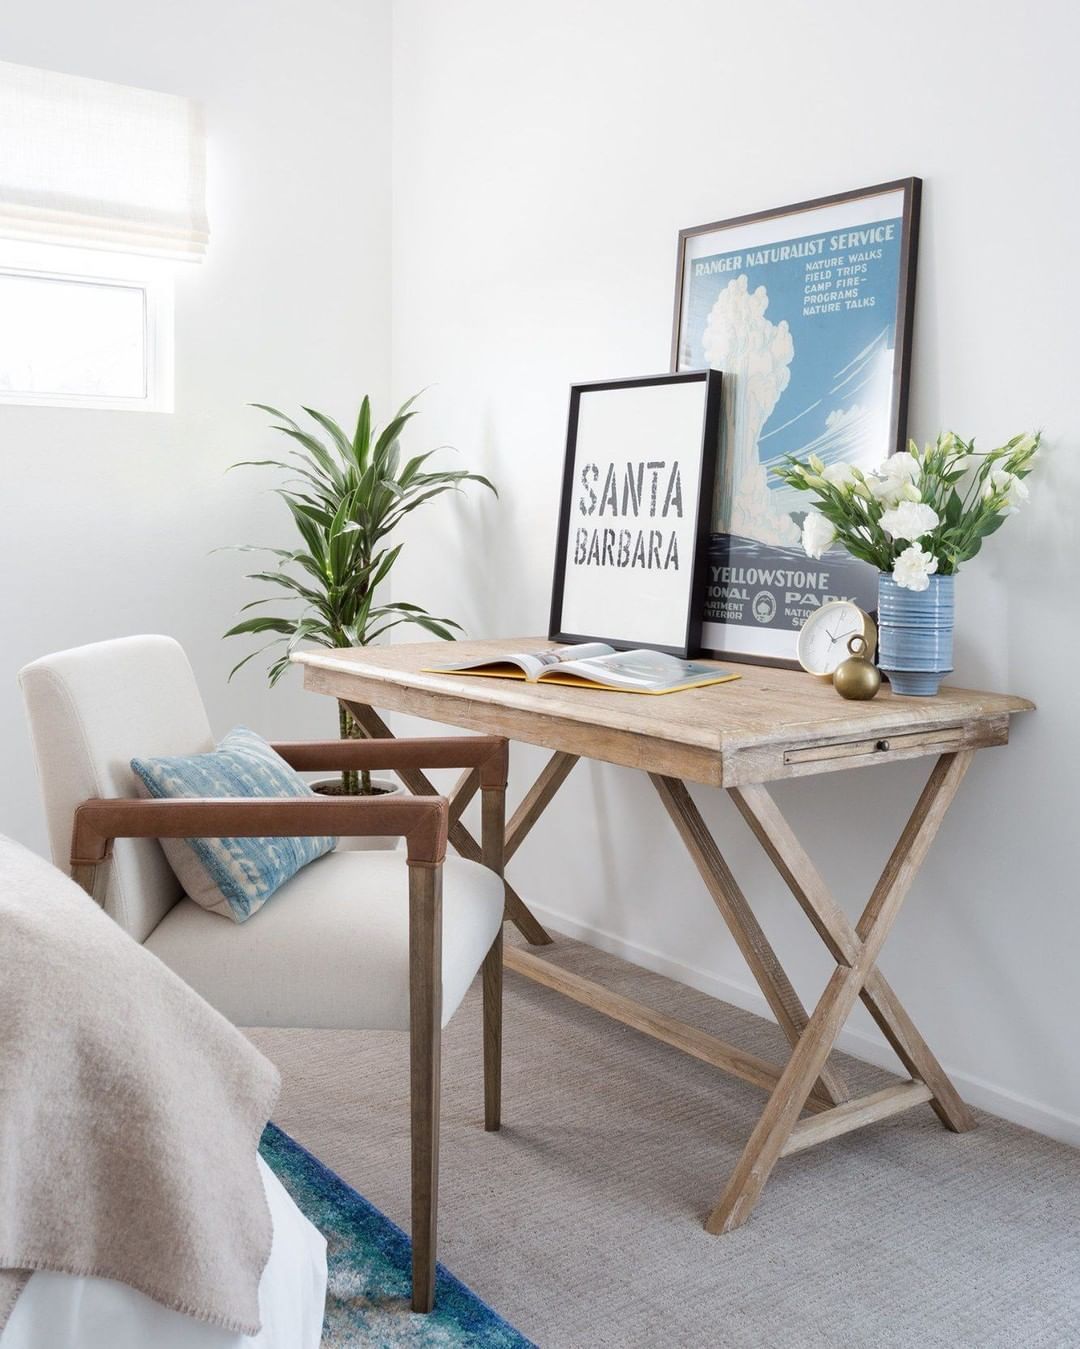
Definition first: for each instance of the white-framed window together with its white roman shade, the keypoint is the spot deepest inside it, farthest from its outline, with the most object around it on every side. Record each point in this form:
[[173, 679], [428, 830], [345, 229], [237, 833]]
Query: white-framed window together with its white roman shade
[[102, 192]]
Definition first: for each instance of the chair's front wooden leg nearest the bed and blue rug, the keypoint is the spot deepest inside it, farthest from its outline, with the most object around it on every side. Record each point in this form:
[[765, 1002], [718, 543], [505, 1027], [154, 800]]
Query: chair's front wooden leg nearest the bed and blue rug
[[425, 1037]]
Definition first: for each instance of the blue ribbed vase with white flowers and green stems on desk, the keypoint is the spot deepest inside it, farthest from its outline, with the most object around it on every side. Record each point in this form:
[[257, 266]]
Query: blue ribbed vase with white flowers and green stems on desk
[[918, 519]]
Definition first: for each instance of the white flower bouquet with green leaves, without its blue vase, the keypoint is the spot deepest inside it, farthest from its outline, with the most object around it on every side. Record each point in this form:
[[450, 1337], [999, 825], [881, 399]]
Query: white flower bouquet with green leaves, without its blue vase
[[922, 512]]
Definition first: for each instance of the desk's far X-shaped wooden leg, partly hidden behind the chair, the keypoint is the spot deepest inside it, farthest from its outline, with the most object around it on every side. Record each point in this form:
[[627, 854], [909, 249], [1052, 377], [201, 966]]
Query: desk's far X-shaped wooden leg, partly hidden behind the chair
[[462, 840]]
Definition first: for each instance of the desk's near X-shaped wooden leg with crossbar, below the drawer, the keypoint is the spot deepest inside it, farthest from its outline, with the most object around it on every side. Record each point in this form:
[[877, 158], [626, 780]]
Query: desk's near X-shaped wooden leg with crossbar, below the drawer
[[780, 1131]]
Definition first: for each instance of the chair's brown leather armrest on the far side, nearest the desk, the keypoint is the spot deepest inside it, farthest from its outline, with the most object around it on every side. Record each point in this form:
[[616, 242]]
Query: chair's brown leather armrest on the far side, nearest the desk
[[489, 753]]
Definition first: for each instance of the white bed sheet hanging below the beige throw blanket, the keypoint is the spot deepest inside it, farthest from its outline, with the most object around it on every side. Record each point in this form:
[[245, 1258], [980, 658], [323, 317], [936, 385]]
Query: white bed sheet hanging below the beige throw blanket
[[64, 1312]]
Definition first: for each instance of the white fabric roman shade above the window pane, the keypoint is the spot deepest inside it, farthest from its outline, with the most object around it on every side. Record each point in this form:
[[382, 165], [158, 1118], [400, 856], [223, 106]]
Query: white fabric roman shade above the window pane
[[100, 165]]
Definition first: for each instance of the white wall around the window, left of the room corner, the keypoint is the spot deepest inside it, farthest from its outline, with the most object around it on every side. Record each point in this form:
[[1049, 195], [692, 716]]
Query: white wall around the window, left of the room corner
[[107, 520]]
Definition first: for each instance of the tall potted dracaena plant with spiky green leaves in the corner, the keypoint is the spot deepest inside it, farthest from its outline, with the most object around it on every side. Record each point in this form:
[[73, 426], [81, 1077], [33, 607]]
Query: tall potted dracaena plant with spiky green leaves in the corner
[[347, 497]]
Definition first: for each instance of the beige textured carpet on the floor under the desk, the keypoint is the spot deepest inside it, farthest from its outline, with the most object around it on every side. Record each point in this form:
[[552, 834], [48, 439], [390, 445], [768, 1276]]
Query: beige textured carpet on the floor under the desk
[[582, 1222]]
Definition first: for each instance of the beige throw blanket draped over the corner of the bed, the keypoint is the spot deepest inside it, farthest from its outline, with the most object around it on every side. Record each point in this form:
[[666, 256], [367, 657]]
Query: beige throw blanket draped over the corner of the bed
[[130, 1114]]
